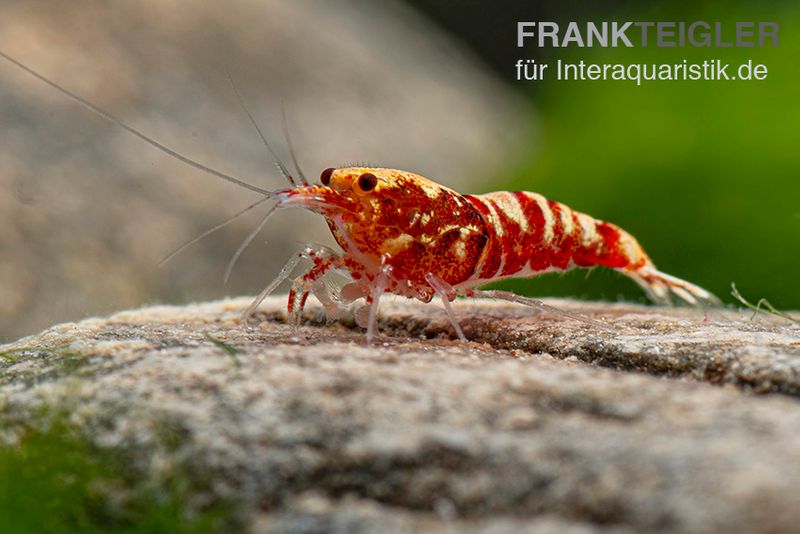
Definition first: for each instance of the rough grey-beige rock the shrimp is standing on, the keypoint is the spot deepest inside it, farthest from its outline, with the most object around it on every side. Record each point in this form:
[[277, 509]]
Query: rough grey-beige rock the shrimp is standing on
[[538, 423]]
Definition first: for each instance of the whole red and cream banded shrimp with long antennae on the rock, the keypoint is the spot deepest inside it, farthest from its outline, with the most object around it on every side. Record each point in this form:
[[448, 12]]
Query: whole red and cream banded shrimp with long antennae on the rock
[[404, 234]]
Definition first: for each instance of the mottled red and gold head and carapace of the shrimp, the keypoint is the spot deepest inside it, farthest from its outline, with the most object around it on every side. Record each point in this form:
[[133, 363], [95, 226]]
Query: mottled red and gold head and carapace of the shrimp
[[380, 215]]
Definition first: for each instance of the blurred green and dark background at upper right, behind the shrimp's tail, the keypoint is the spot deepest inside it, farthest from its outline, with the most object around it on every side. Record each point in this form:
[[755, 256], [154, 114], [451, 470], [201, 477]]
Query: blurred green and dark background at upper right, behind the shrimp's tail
[[705, 174]]
